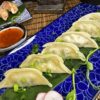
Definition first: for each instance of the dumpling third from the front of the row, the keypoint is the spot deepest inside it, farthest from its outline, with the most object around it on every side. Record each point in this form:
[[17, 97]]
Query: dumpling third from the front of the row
[[64, 50]]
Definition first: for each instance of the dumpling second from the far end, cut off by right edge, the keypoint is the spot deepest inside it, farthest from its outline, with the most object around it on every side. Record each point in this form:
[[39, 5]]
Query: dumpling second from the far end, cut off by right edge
[[92, 27]]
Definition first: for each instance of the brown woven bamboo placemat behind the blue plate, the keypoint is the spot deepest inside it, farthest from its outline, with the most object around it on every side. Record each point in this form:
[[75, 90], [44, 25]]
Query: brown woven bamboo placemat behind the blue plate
[[39, 21]]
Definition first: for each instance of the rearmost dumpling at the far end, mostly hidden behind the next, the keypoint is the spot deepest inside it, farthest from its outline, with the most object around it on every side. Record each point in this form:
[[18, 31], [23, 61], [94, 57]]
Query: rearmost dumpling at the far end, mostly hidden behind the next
[[91, 16]]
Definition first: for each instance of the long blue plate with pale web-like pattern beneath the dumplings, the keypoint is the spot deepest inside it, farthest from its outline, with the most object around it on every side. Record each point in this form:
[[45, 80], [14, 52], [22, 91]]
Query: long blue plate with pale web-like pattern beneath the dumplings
[[50, 33]]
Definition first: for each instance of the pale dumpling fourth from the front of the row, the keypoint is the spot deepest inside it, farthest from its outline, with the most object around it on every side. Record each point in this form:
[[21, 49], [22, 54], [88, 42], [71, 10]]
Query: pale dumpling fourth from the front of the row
[[78, 38]]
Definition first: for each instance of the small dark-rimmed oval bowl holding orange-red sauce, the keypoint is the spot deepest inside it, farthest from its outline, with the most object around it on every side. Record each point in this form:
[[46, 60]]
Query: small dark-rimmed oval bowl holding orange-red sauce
[[11, 36]]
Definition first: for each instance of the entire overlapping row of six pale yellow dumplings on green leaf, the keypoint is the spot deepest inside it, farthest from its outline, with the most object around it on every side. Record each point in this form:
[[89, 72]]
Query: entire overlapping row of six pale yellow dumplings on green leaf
[[52, 56]]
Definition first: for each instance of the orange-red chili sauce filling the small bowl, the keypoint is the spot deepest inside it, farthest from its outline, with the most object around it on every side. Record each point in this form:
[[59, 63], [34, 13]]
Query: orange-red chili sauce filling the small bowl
[[10, 36]]
